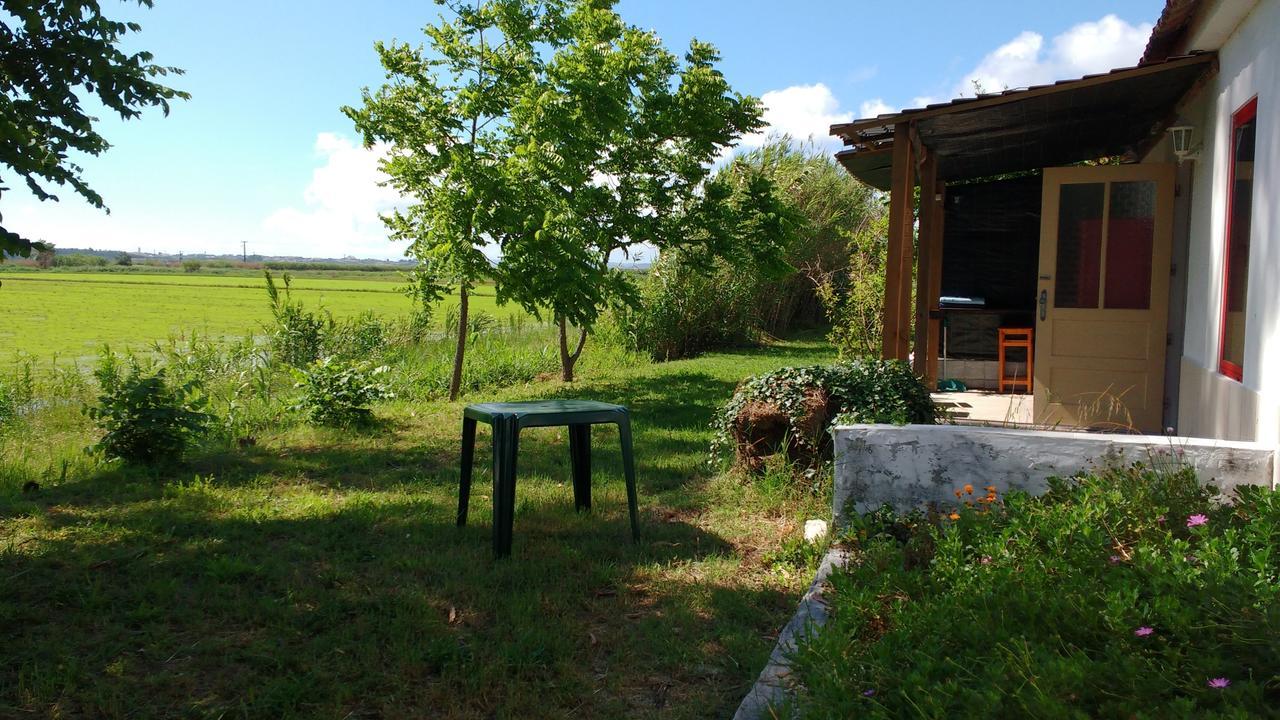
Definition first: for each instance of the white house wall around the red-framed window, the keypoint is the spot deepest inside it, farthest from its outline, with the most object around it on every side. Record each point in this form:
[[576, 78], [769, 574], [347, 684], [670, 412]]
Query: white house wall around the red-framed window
[[1213, 405]]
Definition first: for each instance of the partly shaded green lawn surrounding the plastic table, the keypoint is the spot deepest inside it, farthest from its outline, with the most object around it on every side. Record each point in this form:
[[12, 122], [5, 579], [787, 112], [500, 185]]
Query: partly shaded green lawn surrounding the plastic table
[[319, 573]]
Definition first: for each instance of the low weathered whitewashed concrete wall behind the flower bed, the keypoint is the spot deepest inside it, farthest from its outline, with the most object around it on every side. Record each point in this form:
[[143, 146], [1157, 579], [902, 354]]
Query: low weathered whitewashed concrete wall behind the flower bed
[[916, 466]]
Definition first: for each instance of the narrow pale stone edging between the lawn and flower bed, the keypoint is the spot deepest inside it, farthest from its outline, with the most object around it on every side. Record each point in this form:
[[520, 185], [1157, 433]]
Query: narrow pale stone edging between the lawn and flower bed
[[774, 687]]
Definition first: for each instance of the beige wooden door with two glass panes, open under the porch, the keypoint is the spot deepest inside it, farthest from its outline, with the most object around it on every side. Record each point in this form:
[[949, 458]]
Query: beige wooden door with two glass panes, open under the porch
[[1103, 299]]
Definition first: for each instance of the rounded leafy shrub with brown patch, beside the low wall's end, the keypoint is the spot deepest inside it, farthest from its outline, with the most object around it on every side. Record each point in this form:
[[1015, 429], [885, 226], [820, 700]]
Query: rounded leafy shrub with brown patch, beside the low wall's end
[[792, 409]]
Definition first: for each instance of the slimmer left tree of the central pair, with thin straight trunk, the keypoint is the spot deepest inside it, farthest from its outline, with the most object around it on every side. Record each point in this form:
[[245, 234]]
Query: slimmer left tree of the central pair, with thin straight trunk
[[445, 117]]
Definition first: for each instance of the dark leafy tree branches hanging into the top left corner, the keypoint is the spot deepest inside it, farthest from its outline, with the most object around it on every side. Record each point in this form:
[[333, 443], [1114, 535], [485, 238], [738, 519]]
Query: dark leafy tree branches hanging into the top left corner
[[52, 54]]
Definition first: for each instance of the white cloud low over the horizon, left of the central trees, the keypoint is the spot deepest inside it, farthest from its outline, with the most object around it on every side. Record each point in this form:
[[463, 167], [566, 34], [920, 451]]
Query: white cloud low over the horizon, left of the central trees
[[342, 207]]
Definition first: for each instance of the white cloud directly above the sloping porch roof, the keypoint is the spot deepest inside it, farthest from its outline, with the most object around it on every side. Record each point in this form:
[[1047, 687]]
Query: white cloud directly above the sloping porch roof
[[1085, 49]]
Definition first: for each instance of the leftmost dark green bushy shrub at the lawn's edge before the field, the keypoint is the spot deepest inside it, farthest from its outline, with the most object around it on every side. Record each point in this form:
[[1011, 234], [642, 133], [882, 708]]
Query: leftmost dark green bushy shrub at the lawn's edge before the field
[[144, 417]]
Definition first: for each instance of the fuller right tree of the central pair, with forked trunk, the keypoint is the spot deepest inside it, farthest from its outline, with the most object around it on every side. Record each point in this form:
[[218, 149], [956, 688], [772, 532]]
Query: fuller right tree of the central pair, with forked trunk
[[615, 145]]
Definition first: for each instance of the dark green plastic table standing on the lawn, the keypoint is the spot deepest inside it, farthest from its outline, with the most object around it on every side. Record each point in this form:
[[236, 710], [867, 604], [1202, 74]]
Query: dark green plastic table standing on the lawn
[[508, 420]]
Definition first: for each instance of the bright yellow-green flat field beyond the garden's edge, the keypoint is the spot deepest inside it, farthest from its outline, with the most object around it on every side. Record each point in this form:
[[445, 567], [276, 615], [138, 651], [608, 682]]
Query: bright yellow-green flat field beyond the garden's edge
[[71, 316]]
